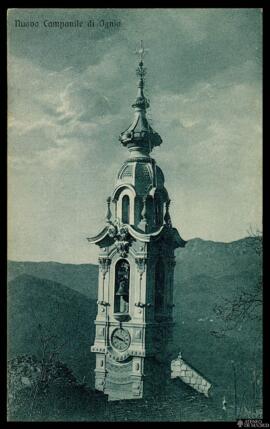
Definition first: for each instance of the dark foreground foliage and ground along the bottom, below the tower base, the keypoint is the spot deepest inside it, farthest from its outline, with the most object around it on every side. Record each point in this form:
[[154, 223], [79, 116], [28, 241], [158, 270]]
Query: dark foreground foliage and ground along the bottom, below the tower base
[[48, 391]]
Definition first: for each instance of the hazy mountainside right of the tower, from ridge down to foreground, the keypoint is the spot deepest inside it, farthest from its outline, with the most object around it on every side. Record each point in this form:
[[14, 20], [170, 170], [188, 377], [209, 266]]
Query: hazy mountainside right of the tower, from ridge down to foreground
[[206, 273]]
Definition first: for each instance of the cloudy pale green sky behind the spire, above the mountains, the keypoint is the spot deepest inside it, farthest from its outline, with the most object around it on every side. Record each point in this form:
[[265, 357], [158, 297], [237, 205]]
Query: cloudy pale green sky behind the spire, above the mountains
[[70, 92]]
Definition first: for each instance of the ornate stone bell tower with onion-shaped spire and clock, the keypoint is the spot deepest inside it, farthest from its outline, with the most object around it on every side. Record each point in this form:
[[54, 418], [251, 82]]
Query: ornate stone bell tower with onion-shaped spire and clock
[[135, 294]]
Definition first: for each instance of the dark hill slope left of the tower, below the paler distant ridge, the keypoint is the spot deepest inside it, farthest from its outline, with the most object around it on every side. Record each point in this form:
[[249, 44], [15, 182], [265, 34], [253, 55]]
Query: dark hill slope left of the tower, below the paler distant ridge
[[60, 311]]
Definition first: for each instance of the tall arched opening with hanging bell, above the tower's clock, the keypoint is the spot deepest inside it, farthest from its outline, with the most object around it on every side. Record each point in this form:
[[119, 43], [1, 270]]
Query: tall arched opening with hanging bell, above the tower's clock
[[121, 288]]
